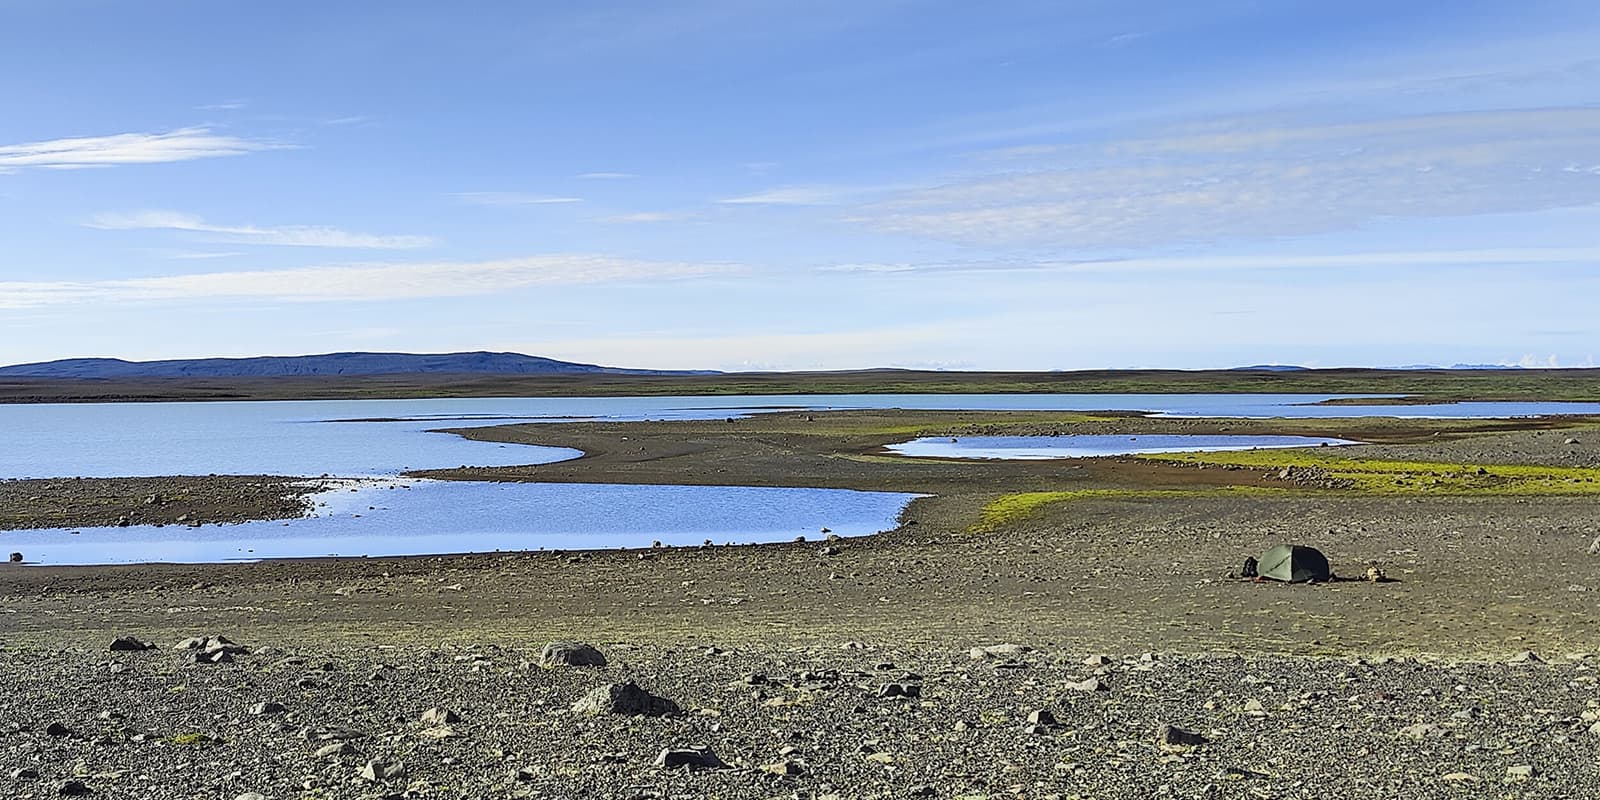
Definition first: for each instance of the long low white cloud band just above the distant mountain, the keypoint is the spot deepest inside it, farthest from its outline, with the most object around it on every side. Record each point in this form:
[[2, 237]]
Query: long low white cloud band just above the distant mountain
[[356, 282]]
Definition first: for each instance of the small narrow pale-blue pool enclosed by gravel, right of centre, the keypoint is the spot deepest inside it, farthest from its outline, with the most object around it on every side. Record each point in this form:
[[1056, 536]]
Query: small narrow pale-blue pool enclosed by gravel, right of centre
[[1039, 449]]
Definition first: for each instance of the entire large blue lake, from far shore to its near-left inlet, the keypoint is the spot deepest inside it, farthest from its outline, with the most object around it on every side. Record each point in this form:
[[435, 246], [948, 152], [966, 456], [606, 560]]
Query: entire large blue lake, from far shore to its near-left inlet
[[342, 439]]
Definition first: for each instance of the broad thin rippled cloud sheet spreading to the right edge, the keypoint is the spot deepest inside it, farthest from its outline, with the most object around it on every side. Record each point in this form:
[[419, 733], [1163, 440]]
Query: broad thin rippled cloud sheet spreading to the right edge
[[1246, 178]]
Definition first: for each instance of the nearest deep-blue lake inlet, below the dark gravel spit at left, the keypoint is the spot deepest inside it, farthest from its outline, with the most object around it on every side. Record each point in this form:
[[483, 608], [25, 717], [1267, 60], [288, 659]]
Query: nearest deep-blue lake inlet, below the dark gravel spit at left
[[417, 518]]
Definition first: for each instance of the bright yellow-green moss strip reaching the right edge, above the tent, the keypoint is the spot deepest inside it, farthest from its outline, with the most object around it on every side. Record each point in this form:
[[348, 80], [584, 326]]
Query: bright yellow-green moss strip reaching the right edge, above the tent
[[1407, 478]]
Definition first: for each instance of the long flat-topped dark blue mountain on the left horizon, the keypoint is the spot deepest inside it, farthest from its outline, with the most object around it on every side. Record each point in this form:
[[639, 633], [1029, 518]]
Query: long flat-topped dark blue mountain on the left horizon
[[338, 364]]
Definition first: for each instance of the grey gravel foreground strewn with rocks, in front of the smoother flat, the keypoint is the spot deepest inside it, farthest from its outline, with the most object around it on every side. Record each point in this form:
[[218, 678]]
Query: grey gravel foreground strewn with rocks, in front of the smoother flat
[[228, 718]]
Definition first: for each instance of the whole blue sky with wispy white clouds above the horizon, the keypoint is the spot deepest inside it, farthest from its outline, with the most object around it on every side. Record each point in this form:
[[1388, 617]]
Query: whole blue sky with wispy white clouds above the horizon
[[822, 185]]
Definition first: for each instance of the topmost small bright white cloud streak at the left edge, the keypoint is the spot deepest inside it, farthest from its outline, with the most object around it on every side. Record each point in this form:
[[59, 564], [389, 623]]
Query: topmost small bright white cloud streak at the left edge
[[183, 145]]
